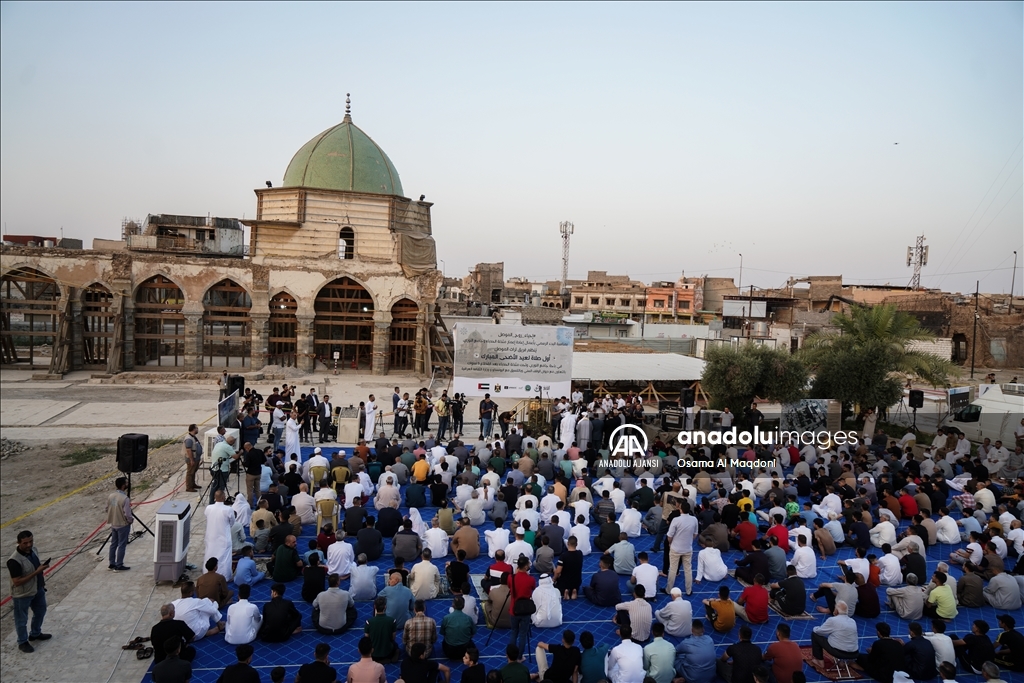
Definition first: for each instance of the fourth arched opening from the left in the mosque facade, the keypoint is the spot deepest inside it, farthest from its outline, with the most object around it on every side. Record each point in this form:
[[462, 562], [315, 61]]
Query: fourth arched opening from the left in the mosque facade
[[227, 330]]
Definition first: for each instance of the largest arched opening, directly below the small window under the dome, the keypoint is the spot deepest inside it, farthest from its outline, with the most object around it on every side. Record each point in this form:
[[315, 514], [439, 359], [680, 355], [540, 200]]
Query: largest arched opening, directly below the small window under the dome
[[345, 325]]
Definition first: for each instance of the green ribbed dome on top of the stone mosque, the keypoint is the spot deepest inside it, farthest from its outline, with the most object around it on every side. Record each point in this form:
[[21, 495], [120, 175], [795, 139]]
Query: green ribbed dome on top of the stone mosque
[[344, 158]]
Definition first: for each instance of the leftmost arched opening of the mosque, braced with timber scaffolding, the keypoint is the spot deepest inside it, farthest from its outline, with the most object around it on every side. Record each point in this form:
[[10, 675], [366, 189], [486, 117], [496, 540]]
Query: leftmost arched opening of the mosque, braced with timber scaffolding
[[29, 305]]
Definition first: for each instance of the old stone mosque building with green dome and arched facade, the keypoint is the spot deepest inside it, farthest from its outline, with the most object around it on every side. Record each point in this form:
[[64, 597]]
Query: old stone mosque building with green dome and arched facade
[[340, 268]]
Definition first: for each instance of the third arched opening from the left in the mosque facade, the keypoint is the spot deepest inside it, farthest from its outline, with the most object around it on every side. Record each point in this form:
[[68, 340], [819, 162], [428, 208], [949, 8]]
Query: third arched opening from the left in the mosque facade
[[160, 326]]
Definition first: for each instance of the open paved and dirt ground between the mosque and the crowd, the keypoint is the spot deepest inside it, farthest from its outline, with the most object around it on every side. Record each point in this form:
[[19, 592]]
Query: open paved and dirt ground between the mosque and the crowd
[[93, 612]]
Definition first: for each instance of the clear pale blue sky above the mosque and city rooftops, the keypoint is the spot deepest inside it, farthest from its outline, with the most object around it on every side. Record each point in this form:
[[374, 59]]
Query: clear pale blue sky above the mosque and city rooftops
[[812, 139]]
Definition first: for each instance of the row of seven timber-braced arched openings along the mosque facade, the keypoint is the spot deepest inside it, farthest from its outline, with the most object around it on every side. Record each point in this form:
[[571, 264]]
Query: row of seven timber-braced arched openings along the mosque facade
[[343, 332]]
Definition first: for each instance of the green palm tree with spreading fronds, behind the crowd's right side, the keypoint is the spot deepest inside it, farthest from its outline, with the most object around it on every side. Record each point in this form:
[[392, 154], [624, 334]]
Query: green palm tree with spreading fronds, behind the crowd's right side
[[867, 359]]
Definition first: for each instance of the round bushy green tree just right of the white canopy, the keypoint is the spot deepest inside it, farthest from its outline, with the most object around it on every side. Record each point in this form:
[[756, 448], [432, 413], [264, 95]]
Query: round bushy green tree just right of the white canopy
[[735, 377]]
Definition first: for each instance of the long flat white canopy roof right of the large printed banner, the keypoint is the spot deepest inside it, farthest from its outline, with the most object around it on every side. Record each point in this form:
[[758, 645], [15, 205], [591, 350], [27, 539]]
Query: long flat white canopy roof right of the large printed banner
[[636, 367]]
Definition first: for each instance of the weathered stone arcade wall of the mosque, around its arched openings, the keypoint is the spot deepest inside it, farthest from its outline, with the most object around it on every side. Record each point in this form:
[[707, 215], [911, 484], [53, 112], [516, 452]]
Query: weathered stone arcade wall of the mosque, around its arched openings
[[123, 273]]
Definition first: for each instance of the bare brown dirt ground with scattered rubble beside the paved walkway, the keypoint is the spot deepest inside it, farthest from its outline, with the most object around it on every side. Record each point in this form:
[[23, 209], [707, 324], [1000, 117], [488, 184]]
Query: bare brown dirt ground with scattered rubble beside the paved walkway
[[42, 474]]
